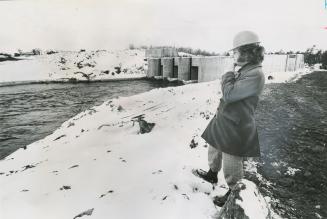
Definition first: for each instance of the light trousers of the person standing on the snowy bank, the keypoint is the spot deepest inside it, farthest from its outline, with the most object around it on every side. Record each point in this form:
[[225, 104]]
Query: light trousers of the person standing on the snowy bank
[[232, 165]]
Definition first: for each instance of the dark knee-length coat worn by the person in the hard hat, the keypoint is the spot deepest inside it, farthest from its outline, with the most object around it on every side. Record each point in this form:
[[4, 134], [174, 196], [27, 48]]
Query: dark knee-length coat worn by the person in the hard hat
[[233, 130]]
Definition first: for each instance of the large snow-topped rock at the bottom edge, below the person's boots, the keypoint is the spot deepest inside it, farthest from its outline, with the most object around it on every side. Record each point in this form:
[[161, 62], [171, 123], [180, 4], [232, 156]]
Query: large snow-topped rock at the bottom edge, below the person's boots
[[245, 202]]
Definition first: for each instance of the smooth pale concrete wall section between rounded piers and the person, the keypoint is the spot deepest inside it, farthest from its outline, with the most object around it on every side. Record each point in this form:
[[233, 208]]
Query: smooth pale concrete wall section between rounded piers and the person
[[211, 68]]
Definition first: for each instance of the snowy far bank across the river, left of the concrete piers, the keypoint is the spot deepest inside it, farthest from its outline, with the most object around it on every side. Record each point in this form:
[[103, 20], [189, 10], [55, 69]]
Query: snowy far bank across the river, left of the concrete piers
[[88, 65]]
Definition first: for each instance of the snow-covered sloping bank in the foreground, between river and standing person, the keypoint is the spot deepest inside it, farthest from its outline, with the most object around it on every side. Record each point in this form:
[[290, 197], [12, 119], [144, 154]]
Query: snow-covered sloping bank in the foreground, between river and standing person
[[98, 163]]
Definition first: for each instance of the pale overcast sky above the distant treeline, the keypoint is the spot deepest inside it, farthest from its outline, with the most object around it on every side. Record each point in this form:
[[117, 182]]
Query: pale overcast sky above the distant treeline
[[205, 24]]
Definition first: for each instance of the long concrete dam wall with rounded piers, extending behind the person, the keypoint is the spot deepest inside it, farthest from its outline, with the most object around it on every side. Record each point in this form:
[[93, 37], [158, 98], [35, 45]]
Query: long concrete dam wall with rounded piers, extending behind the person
[[212, 68]]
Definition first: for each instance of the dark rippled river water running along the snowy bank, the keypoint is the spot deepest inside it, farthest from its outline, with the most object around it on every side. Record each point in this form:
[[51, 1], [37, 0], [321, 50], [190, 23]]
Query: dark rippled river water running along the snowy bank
[[32, 111]]
